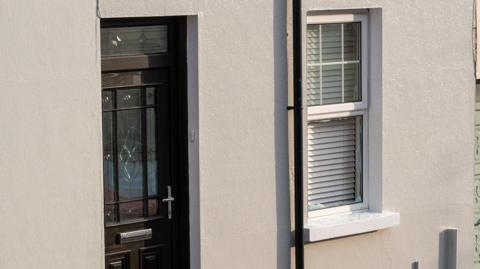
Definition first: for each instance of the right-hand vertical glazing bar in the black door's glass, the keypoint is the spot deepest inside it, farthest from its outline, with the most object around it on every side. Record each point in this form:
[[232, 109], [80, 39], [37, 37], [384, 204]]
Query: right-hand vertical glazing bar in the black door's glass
[[143, 93]]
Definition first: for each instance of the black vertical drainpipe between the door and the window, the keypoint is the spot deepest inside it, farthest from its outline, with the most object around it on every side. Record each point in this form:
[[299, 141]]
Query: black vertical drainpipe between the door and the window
[[298, 131]]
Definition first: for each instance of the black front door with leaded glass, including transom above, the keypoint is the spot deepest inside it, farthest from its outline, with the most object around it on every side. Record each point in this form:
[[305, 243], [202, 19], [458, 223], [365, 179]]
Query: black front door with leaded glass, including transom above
[[140, 145]]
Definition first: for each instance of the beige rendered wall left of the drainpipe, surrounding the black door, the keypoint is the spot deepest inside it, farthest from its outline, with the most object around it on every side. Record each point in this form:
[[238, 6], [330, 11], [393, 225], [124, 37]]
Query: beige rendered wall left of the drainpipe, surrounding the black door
[[50, 155]]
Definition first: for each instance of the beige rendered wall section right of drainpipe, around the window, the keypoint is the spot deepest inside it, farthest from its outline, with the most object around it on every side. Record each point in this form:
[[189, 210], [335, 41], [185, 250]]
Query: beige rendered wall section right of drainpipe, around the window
[[428, 104]]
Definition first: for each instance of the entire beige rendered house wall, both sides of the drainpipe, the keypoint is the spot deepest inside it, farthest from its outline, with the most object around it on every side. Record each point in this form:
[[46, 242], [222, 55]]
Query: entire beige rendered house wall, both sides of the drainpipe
[[50, 151]]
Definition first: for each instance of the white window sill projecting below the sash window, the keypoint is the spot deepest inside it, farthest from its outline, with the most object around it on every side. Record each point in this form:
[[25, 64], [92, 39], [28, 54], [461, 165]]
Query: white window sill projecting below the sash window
[[330, 227]]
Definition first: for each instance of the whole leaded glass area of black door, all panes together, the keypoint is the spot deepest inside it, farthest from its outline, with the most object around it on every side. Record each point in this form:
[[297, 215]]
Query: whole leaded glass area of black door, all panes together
[[130, 152]]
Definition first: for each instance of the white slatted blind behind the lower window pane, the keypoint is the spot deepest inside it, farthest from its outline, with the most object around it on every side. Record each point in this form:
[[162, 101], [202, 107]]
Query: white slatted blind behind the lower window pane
[[334, 162]]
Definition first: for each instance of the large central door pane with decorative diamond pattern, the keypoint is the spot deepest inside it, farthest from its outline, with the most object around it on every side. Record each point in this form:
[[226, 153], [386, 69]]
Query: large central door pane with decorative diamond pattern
[[130, 154]]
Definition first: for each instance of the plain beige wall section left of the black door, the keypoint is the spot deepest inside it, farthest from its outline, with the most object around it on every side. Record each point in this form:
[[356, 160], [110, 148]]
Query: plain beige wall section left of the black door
[[50, 147]]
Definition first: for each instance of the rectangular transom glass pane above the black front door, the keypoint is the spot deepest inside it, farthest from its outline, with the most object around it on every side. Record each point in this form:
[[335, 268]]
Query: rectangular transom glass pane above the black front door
[[138, 40]]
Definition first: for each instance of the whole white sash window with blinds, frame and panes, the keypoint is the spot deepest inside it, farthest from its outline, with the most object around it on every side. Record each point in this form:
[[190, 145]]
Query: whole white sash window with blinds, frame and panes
[[336, 97]]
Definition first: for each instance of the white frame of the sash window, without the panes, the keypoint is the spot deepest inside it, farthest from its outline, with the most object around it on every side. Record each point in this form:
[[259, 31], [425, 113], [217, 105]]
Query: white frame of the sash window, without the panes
[[332, 111]]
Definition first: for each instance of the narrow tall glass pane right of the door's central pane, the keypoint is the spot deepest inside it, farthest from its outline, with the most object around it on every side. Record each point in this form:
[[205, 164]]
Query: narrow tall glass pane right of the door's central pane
[[151, 152]]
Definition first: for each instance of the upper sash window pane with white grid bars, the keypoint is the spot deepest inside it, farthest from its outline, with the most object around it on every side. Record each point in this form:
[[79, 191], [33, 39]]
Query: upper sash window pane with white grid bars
[[333, 63]]
